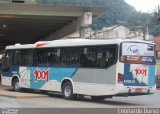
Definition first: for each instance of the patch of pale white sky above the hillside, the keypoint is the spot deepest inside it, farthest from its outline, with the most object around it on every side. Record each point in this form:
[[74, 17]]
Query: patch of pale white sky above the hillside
[[144, 5]]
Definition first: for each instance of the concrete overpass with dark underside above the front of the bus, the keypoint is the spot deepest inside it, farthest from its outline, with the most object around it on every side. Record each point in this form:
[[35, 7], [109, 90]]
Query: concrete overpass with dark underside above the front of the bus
[[28, 23]]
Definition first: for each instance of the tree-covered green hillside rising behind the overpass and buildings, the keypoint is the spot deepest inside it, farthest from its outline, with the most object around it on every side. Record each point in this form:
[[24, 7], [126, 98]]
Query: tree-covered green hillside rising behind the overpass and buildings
[[116, 11]]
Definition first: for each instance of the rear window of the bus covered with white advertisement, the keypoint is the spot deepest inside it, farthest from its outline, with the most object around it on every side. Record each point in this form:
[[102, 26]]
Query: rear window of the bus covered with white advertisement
[[137, 53]]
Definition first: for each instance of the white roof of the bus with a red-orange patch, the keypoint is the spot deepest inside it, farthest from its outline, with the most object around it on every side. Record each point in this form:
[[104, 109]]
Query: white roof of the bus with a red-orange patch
[[72, 42]]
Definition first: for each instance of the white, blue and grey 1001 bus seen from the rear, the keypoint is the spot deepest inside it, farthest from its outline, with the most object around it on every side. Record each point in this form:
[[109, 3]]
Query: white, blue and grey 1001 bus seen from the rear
[[97, 68]]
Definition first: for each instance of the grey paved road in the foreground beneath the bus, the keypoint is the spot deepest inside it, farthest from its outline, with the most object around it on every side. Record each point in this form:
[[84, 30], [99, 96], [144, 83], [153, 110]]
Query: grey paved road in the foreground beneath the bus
[[55, 104]]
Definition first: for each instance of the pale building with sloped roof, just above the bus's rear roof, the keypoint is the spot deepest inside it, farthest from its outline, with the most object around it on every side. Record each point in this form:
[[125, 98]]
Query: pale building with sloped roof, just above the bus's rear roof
[[122, 32]]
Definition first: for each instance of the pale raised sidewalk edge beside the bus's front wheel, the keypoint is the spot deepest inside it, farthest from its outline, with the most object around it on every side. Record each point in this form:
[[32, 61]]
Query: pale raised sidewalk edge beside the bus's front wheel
[[8, 92]]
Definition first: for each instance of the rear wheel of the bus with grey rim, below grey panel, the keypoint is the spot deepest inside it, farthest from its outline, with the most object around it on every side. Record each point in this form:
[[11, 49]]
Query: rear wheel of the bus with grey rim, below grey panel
[[67, 91]]
